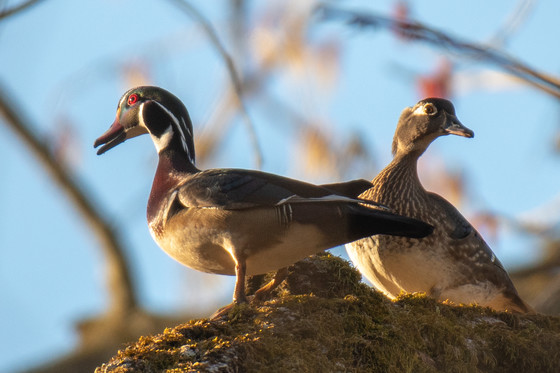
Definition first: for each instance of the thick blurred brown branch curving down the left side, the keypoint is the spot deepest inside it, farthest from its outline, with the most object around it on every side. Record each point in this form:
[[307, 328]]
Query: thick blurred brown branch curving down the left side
[[121, 291]]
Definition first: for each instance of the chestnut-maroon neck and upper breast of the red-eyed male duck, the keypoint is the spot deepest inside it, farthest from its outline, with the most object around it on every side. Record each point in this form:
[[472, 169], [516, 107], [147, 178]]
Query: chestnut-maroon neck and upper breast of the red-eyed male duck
[[173, 167]]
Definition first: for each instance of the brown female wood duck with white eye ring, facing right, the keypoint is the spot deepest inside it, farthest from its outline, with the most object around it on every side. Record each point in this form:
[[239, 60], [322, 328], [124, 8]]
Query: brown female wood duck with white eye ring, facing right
[[454, 263]]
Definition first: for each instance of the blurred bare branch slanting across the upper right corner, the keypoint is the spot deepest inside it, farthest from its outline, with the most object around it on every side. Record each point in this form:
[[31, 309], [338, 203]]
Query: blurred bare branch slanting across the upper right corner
[[416, 30]]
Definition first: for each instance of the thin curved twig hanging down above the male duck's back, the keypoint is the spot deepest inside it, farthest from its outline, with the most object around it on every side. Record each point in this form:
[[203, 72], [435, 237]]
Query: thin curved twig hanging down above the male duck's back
[[234, 76]]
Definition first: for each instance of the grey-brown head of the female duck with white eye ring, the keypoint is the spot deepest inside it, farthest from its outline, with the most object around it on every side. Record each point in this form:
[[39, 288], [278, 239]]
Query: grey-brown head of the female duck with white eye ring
[[421, 124]]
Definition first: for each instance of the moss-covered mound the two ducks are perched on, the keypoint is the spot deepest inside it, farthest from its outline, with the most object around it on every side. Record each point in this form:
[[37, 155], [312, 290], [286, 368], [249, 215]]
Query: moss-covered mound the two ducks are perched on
[[315, 325]]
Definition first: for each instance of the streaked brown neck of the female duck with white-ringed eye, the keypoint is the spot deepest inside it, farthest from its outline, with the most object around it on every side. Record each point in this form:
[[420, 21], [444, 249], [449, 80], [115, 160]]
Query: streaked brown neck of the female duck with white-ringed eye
[[398, 184]]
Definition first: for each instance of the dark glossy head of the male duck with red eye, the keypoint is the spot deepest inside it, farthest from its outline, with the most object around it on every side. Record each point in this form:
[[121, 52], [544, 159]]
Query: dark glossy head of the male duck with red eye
[[154, 111]]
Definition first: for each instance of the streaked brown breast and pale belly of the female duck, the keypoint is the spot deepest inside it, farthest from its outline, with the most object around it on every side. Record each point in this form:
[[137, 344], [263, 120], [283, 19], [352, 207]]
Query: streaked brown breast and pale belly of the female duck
[[431, 264]]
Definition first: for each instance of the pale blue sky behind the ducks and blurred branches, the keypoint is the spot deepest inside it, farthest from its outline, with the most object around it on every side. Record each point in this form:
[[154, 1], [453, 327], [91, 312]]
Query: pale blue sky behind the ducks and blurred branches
[[64, 62]]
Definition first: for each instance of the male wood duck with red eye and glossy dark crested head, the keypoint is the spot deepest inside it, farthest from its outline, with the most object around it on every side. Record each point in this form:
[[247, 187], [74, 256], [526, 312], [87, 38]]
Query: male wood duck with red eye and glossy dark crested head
[[232, 221]]
